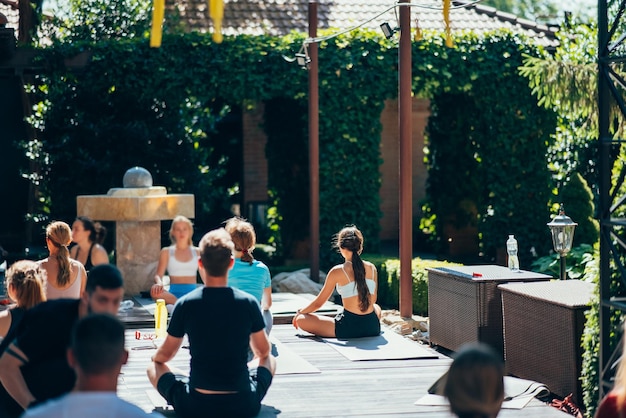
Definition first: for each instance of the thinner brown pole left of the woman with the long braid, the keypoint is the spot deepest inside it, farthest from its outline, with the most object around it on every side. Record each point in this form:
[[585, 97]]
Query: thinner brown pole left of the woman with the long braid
[[314, 144]]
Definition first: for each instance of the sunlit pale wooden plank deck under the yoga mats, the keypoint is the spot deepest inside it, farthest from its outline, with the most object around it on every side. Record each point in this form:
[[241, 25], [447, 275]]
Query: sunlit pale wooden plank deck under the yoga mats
[[341, 388]]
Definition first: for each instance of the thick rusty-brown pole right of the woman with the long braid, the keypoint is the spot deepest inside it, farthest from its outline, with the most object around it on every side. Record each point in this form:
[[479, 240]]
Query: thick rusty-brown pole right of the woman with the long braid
[[405, 111]]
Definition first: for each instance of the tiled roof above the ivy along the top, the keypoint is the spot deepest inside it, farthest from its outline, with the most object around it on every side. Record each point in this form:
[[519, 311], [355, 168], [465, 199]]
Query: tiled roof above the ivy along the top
[[279, 17]]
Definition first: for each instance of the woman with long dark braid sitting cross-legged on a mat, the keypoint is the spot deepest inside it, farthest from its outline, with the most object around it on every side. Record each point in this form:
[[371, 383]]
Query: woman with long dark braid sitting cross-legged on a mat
[[356, 282]]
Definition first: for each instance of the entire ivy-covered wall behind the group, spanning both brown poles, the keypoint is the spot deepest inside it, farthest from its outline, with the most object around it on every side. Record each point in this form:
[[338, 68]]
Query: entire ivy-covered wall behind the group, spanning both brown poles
[[133, 105]]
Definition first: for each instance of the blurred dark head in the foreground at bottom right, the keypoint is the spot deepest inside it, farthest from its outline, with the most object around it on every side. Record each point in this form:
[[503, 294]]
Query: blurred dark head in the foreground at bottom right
[[474, 384]]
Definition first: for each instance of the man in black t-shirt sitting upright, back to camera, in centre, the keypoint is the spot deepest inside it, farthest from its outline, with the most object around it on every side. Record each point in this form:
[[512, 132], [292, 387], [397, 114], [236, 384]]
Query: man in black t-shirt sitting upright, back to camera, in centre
[[221, 323]]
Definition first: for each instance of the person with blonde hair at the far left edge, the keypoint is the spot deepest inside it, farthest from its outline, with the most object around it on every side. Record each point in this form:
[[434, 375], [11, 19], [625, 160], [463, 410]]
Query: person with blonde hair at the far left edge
[[25, 287]]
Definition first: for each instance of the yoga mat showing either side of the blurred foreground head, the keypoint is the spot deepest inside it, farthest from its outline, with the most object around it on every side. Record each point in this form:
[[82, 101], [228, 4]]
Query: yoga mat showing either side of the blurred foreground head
[[518, 393]]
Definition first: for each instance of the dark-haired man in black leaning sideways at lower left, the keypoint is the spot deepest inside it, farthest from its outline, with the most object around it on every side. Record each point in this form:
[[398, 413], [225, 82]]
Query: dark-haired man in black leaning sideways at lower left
[[34, 367]]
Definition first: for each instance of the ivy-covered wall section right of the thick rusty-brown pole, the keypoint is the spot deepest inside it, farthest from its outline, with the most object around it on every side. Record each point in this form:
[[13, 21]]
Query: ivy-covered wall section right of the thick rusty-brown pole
[[488, 141]]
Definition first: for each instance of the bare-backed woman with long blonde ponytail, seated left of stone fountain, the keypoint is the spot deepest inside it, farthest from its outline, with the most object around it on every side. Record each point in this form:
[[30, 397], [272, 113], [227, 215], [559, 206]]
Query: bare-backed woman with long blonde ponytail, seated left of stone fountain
[[65, 277]]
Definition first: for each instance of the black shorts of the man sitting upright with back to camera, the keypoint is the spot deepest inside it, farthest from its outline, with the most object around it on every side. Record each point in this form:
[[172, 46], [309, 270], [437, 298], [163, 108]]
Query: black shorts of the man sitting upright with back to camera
[[189, 403]]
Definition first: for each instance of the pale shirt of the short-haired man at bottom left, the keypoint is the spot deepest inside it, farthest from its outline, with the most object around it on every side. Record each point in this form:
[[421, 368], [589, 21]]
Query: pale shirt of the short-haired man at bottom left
[[88, 404]]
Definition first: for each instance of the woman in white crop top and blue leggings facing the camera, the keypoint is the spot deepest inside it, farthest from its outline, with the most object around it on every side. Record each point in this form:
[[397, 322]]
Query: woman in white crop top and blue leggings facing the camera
[[180, 260]]
